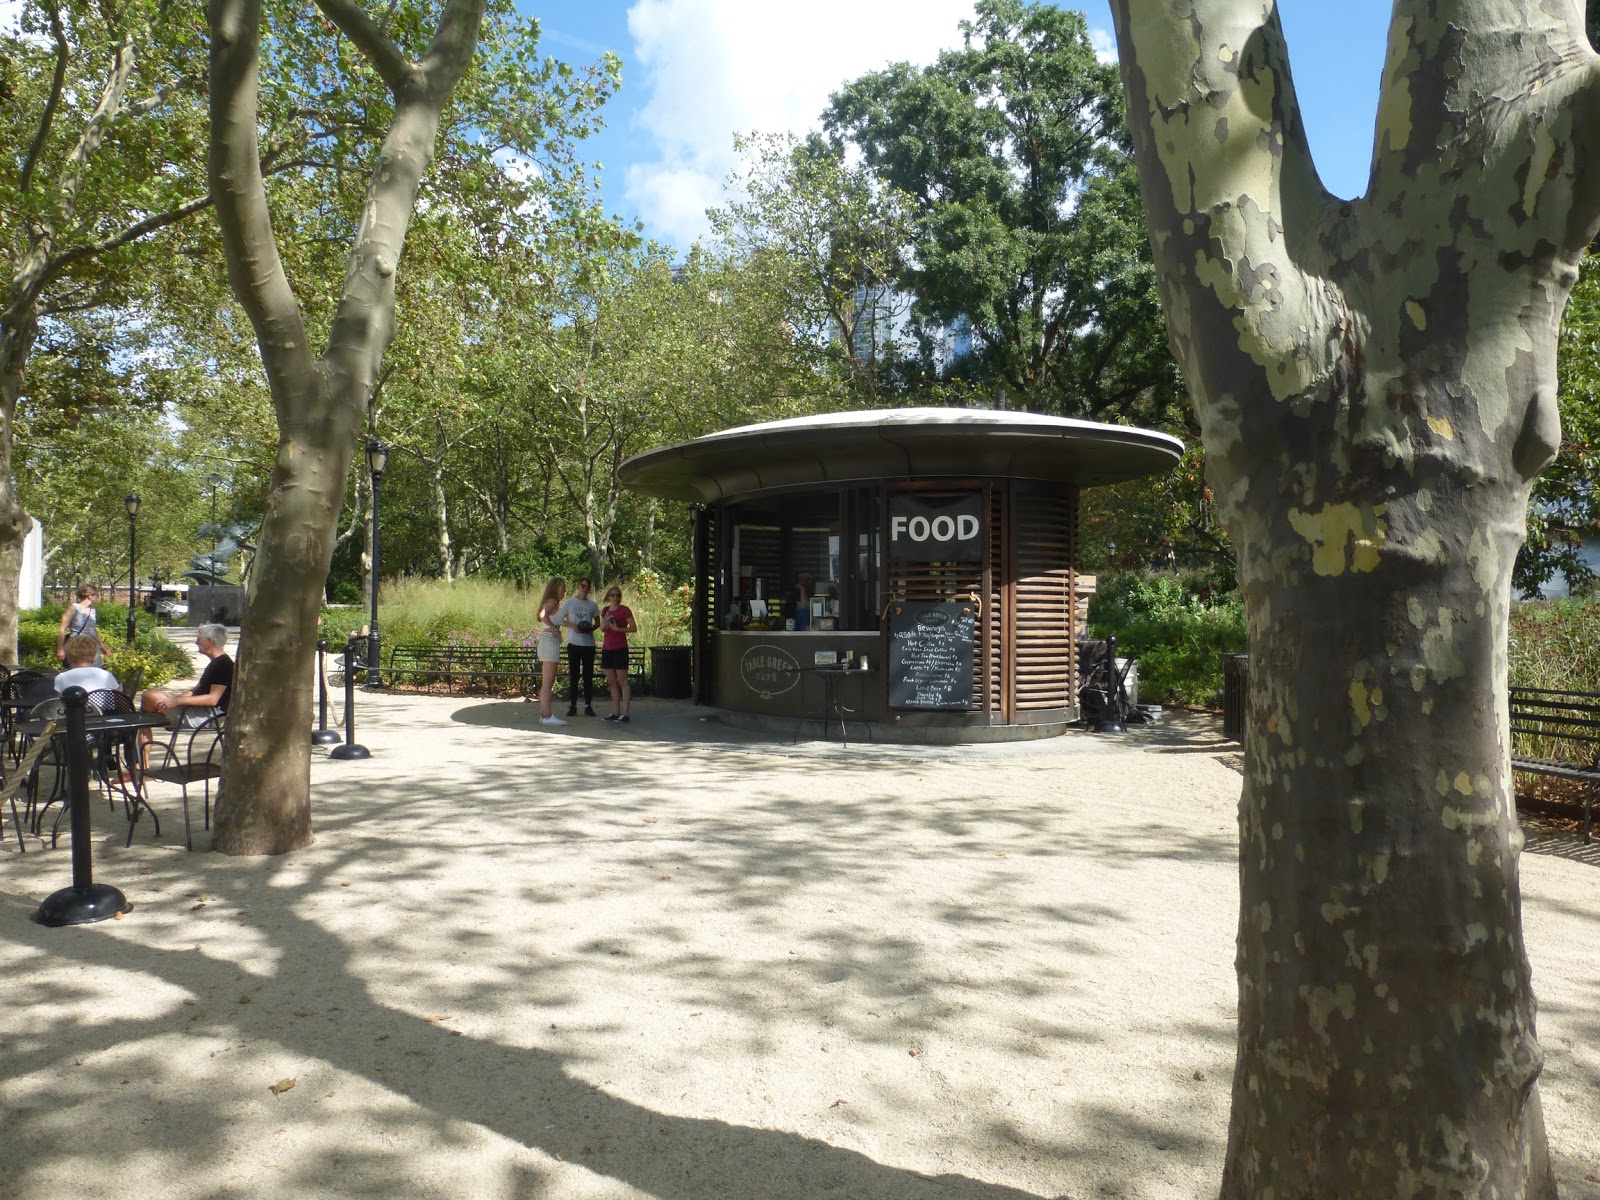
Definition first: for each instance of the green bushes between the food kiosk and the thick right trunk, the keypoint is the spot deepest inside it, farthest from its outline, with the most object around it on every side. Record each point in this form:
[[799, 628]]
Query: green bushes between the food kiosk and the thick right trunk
[[1177, 628]]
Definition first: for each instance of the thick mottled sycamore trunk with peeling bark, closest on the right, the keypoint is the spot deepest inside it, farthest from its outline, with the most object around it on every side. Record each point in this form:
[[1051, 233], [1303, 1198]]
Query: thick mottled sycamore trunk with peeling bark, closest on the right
[[1377, 390]]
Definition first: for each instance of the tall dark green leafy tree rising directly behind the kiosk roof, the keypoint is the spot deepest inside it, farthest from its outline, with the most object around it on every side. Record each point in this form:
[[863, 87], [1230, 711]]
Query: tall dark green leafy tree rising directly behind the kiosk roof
[[1026, 212]]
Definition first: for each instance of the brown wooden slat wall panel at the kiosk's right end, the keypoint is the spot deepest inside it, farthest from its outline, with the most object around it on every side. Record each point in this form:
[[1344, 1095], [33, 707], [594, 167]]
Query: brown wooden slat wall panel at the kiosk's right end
[[1046, 647]]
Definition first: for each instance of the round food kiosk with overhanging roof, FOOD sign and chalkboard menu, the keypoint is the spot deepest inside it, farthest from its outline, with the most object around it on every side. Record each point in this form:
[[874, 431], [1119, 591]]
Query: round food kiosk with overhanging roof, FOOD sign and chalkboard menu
[[910, 575]]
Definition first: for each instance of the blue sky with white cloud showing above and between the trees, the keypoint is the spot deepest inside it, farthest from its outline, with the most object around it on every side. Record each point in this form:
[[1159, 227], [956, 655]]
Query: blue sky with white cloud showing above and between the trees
[[698, 71]]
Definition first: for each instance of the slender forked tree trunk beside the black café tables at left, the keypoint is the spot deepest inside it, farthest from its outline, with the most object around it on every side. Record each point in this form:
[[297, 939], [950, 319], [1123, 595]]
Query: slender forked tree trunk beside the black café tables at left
[[265, 799]]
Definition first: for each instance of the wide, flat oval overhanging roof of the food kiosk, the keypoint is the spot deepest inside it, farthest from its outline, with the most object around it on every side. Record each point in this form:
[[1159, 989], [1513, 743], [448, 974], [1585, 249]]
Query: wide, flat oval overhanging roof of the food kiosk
[[900, 444]]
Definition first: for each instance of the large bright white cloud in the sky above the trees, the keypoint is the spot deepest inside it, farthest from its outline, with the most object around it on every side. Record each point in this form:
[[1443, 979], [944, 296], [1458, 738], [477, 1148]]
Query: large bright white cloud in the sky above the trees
[[716, 68]]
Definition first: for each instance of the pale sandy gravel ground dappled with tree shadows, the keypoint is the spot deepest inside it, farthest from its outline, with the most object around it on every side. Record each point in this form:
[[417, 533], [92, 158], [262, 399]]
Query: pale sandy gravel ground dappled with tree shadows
[[679, 962]]
